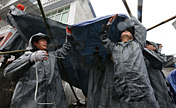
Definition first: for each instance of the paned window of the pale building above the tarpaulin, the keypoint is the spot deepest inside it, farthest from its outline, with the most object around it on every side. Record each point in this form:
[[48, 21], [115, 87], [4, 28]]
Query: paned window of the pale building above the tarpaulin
[[60, 15]]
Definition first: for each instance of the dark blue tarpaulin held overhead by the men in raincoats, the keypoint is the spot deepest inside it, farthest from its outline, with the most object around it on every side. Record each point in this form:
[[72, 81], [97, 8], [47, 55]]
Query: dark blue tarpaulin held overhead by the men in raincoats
[[86, 36]]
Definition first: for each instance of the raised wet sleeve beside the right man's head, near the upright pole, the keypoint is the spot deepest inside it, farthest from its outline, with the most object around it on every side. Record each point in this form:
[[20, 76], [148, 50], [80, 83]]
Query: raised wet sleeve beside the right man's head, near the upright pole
[[139, 33]]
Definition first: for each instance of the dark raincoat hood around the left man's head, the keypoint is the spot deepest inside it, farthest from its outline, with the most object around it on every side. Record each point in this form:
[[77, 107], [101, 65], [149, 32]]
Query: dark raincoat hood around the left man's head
[[35, 37]]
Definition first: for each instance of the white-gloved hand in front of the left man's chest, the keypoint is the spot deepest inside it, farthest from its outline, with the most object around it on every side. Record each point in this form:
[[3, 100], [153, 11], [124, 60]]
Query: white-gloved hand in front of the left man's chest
[[38, 56]]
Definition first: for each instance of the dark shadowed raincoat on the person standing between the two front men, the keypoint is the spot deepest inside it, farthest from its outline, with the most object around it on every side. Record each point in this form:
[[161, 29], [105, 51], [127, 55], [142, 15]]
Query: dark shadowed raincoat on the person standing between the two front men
[[100, 83]]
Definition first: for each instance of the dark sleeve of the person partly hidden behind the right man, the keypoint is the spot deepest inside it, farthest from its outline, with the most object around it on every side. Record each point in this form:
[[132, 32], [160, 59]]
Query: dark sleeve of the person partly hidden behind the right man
[[156, 59]]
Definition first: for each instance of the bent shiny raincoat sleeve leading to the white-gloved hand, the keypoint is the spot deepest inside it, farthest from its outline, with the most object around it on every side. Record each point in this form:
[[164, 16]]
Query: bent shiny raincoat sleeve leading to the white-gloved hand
[[16, 69]]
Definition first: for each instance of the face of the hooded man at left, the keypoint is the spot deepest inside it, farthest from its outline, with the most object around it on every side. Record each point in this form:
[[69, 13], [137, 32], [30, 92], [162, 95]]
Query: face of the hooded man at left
[[41, 44]]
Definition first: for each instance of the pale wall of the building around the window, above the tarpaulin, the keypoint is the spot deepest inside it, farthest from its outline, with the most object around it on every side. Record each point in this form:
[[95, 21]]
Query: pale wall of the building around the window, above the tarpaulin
[[80, 10]]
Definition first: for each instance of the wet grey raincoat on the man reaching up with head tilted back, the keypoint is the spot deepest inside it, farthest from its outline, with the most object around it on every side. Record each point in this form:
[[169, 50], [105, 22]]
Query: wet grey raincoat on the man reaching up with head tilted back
[[131, 88]]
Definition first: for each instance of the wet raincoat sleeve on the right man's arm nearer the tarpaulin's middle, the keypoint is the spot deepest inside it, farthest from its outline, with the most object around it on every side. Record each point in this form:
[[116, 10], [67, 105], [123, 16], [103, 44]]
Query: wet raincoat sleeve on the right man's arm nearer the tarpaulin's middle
[[106, 42]]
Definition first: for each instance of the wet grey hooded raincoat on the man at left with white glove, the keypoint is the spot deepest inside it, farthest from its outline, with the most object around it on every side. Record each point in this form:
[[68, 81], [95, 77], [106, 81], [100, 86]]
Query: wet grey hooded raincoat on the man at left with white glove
[[50, 89]]
